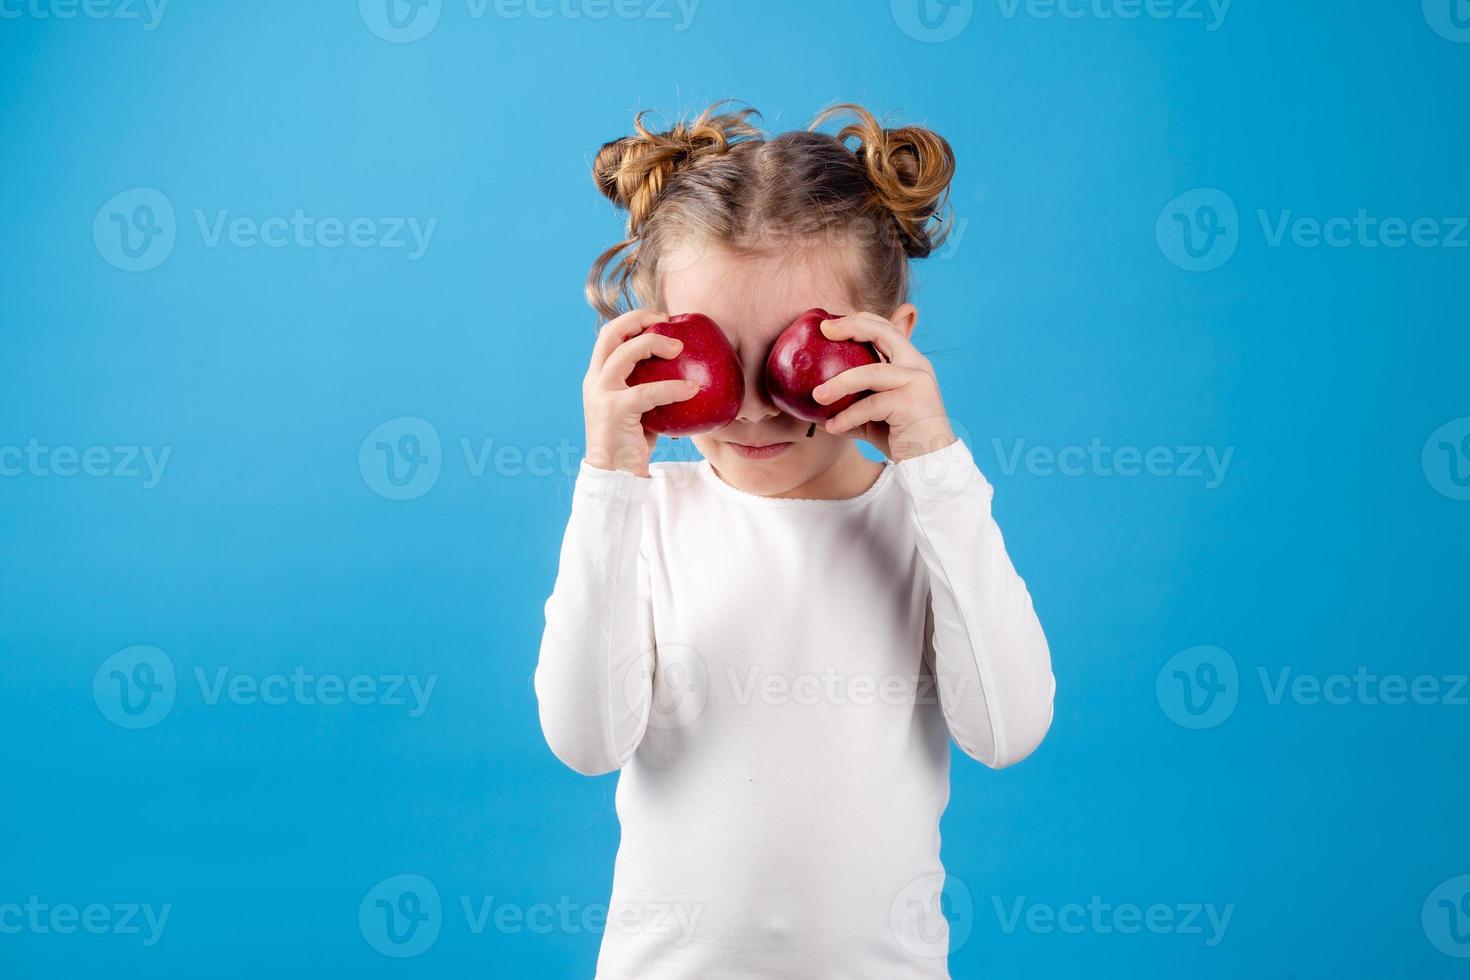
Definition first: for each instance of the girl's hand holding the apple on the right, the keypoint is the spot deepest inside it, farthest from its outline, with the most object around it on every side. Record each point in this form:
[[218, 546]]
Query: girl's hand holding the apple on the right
[[905, 417]]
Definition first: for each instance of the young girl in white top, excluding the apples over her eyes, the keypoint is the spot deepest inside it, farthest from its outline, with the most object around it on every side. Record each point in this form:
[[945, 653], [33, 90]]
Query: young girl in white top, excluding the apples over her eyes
[[774, 643]]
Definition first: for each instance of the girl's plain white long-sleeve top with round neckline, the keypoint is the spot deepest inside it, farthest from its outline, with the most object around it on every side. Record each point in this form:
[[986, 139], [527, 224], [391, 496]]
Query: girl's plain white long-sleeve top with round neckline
[[777, 680]]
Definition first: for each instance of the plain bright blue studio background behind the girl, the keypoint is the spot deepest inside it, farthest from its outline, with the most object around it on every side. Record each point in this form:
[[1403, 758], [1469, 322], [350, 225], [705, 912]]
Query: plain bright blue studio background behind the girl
[[1059, 317]]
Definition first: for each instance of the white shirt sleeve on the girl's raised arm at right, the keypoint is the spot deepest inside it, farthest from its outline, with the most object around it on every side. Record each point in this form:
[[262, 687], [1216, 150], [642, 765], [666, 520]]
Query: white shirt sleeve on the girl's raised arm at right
[[990, 657]]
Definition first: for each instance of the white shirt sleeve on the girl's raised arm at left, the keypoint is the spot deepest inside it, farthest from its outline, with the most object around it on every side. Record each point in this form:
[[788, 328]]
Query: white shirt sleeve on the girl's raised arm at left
[[595, 672]]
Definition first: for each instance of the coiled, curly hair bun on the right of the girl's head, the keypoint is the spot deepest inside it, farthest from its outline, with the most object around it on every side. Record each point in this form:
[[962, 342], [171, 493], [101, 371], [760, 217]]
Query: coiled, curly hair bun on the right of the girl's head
[[911, 171]]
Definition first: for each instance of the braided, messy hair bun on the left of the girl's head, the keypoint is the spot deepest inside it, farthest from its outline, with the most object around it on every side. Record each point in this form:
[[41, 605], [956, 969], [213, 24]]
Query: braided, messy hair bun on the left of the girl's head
[[633, 171]]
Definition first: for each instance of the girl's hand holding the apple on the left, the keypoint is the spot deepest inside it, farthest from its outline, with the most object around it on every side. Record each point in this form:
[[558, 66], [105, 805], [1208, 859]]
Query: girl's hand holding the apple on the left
[[612, 411]]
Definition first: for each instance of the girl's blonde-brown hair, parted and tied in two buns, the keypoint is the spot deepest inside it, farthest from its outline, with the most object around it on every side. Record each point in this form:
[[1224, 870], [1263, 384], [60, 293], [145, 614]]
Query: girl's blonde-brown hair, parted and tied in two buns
[[721, 181]]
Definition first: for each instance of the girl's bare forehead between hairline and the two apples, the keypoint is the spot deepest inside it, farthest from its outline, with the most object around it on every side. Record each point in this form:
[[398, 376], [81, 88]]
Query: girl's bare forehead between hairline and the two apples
[[753, 298]]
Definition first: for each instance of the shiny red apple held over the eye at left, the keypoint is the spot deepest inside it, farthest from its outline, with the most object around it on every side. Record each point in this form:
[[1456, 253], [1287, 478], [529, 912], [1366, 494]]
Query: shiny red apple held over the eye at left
[[711, 361]]
